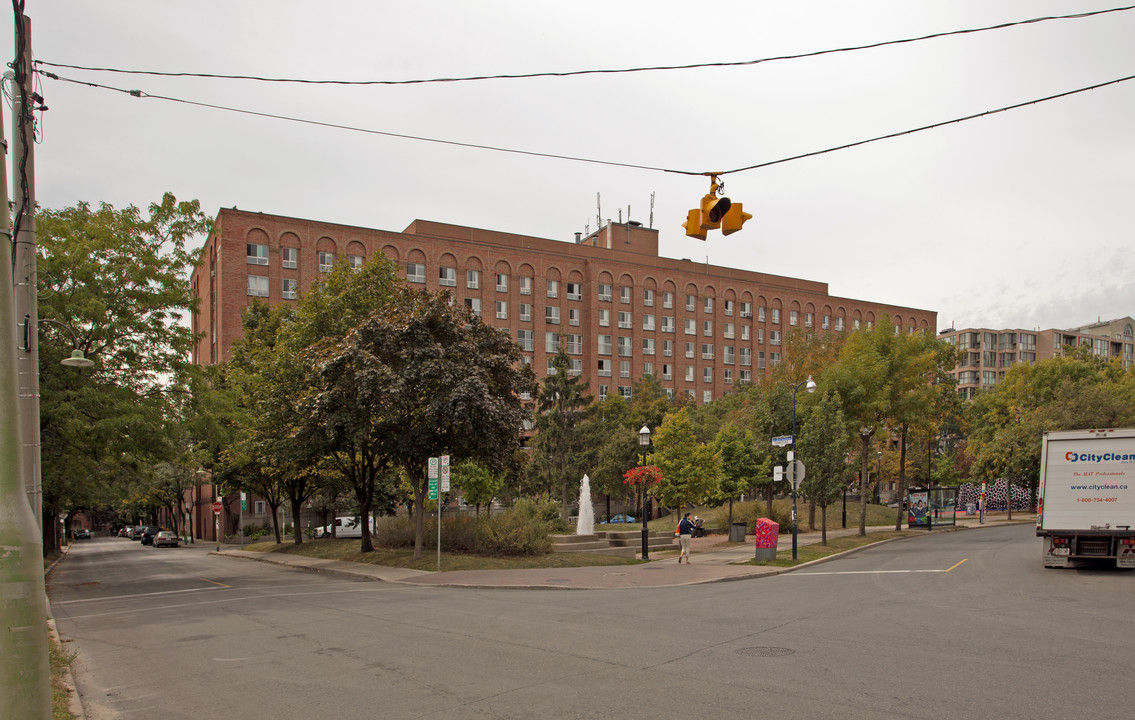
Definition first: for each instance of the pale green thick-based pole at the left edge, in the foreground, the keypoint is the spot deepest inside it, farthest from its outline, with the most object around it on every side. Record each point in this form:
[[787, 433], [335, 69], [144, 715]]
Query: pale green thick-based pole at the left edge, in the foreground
[[26, 674]]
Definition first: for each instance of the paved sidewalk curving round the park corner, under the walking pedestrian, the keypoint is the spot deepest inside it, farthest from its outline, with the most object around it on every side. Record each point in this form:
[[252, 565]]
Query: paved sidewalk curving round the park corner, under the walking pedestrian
[[713, 562]]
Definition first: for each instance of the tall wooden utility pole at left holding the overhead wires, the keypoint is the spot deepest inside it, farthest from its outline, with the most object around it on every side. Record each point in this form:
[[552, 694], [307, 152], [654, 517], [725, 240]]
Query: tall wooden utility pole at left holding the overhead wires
[[24, 277]]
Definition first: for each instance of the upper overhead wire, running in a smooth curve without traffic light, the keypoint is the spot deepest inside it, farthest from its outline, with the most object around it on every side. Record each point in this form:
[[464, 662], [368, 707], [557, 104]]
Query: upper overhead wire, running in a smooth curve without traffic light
[[599, 72]]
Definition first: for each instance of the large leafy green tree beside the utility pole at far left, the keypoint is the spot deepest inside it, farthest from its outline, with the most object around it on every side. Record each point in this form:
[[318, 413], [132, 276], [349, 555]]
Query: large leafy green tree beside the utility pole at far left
[[119, 280]]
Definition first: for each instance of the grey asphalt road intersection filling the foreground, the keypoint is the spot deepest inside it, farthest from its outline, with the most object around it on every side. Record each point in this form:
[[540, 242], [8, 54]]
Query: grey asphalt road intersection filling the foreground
[[961, 625]]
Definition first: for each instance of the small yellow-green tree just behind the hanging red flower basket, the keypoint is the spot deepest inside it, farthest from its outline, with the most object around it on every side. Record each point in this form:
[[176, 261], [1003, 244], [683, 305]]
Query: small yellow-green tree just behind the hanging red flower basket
[[691, 471]]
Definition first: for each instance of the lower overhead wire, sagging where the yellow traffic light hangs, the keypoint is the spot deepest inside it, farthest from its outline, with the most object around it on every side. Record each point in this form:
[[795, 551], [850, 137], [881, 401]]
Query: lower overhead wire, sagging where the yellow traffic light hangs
[[139, 94]]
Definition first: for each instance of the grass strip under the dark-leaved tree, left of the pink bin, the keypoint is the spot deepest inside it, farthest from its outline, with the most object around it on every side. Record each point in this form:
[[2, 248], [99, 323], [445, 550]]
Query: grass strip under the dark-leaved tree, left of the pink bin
[[348, 550]]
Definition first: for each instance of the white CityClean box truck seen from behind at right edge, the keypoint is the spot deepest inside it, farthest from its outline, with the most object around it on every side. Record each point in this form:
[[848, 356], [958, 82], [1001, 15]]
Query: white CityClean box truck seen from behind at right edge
[[1087, 500]]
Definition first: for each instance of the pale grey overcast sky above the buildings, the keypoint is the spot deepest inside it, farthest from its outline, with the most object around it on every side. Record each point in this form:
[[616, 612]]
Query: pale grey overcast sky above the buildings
[[1018, 220]]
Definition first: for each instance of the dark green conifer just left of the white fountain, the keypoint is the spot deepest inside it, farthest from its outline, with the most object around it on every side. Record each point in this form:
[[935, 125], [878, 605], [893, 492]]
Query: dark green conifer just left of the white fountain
[[561, 449]]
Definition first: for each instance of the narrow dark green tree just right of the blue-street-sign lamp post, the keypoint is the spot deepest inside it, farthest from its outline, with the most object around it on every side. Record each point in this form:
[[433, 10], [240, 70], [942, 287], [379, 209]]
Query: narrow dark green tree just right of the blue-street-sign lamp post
[[826, 443]]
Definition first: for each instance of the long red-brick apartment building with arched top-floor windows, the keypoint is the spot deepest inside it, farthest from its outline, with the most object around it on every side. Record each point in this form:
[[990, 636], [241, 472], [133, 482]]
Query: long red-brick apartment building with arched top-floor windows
[[619, 308]]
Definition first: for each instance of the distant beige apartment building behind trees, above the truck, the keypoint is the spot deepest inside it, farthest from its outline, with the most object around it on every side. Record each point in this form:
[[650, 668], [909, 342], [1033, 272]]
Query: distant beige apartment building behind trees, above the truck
[[991, 353]]
